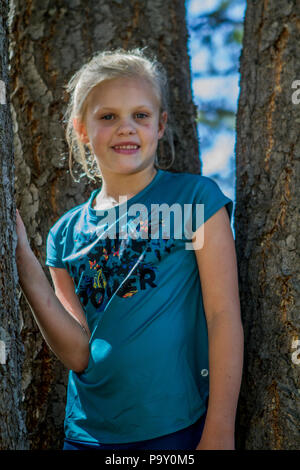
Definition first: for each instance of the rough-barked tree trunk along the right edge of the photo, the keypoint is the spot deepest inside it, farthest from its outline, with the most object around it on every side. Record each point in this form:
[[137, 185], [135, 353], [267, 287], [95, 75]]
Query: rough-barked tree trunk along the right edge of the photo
[[267, 225]]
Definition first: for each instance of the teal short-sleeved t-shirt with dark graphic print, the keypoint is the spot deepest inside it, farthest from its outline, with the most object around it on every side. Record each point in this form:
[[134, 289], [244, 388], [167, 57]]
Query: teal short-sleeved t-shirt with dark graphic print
[[137, 280]]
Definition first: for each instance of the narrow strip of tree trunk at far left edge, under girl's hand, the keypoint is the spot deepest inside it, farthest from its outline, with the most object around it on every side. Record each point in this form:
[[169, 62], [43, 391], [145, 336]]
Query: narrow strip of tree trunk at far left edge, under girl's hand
[[12, 427]]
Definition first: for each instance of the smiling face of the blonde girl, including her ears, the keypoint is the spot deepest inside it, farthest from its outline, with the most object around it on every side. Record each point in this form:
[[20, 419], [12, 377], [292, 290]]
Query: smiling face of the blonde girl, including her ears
[[122, 125]]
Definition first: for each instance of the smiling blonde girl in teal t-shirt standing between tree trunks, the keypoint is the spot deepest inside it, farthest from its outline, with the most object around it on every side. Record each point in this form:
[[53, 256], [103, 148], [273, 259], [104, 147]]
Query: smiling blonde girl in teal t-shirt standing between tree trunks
[[149, 328]]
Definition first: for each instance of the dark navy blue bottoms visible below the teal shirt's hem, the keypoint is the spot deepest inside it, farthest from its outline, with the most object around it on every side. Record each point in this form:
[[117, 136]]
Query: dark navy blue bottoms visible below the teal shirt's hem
[[184, 439]]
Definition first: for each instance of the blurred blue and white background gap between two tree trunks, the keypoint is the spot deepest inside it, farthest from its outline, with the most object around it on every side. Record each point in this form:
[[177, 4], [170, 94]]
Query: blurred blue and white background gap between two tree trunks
[[215, 43]]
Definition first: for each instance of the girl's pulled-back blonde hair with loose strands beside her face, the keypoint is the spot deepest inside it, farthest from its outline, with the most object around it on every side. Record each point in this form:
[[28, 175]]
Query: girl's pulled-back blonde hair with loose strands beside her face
[[107, 65]]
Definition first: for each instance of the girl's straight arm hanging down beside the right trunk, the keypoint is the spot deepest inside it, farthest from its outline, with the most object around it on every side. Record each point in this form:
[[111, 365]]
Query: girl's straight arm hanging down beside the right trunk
[[219, 282]]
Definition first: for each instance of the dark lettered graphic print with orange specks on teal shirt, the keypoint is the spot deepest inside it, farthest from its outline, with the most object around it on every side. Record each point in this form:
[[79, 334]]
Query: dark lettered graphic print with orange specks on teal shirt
[[108, 263]]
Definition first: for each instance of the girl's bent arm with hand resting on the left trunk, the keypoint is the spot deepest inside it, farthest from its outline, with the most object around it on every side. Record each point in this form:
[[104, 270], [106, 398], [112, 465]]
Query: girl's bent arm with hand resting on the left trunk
[[66, 336]]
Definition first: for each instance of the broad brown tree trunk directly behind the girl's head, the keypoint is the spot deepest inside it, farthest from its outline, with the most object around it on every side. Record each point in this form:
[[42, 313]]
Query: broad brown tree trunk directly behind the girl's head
[[49, 42]]
